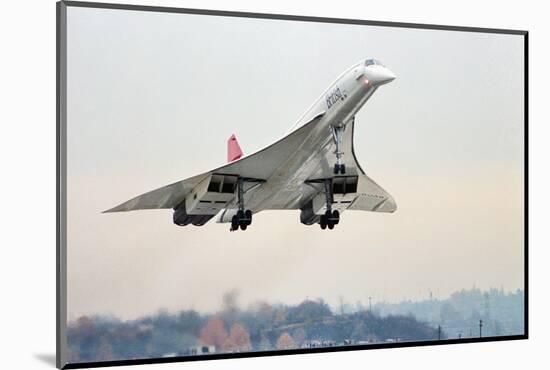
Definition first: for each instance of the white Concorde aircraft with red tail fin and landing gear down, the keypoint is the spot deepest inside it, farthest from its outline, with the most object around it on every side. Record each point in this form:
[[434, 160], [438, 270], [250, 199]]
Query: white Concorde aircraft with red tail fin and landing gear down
[[313, 168]]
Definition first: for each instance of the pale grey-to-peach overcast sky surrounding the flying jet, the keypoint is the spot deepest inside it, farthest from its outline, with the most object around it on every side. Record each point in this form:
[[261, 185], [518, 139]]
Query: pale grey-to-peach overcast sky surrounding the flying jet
[[153, 97]]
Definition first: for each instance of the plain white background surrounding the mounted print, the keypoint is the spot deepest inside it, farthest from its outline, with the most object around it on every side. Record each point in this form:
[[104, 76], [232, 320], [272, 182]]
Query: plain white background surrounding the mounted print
[[27, 159]]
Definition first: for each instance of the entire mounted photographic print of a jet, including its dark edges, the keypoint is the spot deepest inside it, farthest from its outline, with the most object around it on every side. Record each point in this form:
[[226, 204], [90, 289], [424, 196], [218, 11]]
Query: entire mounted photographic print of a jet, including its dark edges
[[238, 185]]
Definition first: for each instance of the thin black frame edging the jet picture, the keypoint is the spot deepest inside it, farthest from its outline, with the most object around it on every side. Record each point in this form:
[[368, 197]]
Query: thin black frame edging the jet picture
[[61, 186]]
